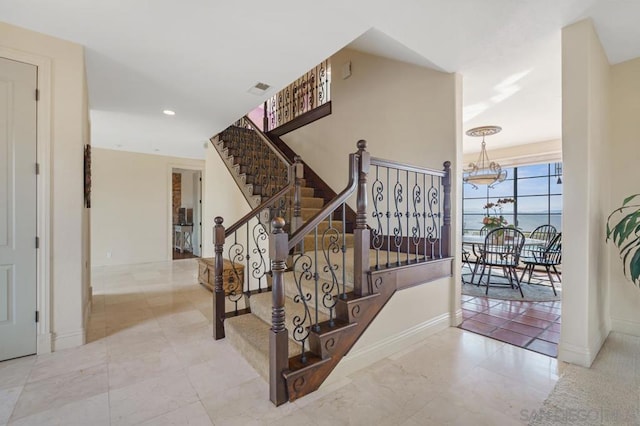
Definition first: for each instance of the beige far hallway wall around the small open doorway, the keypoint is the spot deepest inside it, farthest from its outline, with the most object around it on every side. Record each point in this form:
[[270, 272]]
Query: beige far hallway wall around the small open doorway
[[131, 206]]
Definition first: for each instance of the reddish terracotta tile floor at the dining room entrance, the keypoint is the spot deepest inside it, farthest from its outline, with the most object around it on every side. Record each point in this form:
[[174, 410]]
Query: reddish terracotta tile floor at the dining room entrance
[[531, 325]]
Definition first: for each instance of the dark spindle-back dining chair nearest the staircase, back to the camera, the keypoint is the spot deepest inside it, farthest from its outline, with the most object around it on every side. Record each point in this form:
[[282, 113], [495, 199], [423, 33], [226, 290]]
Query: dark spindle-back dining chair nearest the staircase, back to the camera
[[502, 248]]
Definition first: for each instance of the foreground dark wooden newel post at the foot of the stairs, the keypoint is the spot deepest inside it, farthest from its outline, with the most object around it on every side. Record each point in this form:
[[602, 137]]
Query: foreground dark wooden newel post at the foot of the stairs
[[278, 336]]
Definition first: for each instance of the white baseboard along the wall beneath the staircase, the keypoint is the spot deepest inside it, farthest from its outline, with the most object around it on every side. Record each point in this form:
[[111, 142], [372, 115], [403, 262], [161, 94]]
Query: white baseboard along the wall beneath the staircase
[[364, 357]]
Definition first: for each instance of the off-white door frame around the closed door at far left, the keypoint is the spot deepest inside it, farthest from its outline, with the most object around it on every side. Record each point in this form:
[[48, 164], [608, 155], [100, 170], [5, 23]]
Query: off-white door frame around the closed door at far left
[[43, 194]]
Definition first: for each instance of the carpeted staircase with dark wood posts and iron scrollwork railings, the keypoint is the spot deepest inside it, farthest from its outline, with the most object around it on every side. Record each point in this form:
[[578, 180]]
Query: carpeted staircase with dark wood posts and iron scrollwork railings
[[298, 310]]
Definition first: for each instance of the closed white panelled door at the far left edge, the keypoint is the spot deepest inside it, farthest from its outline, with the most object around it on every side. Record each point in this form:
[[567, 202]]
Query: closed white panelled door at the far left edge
[[17, 209]]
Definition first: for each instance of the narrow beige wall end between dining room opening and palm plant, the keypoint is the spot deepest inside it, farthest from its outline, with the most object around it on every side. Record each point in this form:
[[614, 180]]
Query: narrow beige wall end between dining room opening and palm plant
[[585, 135]]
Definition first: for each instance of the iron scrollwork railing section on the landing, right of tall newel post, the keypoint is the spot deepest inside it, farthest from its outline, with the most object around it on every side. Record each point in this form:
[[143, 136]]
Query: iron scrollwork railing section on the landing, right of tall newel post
[[408, 212]]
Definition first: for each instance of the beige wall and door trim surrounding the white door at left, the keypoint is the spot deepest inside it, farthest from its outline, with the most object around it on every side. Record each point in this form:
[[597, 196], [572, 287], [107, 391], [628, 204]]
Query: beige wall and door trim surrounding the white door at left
[[62, 116]]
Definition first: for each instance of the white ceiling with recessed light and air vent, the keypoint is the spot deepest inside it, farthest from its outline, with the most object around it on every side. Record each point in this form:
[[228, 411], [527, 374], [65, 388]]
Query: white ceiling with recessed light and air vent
[[200, 57]]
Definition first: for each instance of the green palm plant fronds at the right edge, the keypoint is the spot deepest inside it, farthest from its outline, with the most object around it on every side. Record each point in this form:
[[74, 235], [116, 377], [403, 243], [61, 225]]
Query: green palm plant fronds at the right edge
[[623, 228]]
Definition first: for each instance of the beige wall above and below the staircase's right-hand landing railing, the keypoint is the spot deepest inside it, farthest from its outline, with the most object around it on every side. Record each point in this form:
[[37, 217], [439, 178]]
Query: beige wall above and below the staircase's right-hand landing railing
[[409, 114]]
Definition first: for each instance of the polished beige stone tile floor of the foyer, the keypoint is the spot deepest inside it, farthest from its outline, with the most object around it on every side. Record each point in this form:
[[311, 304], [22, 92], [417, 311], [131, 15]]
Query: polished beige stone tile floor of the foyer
[[151, 361]]
